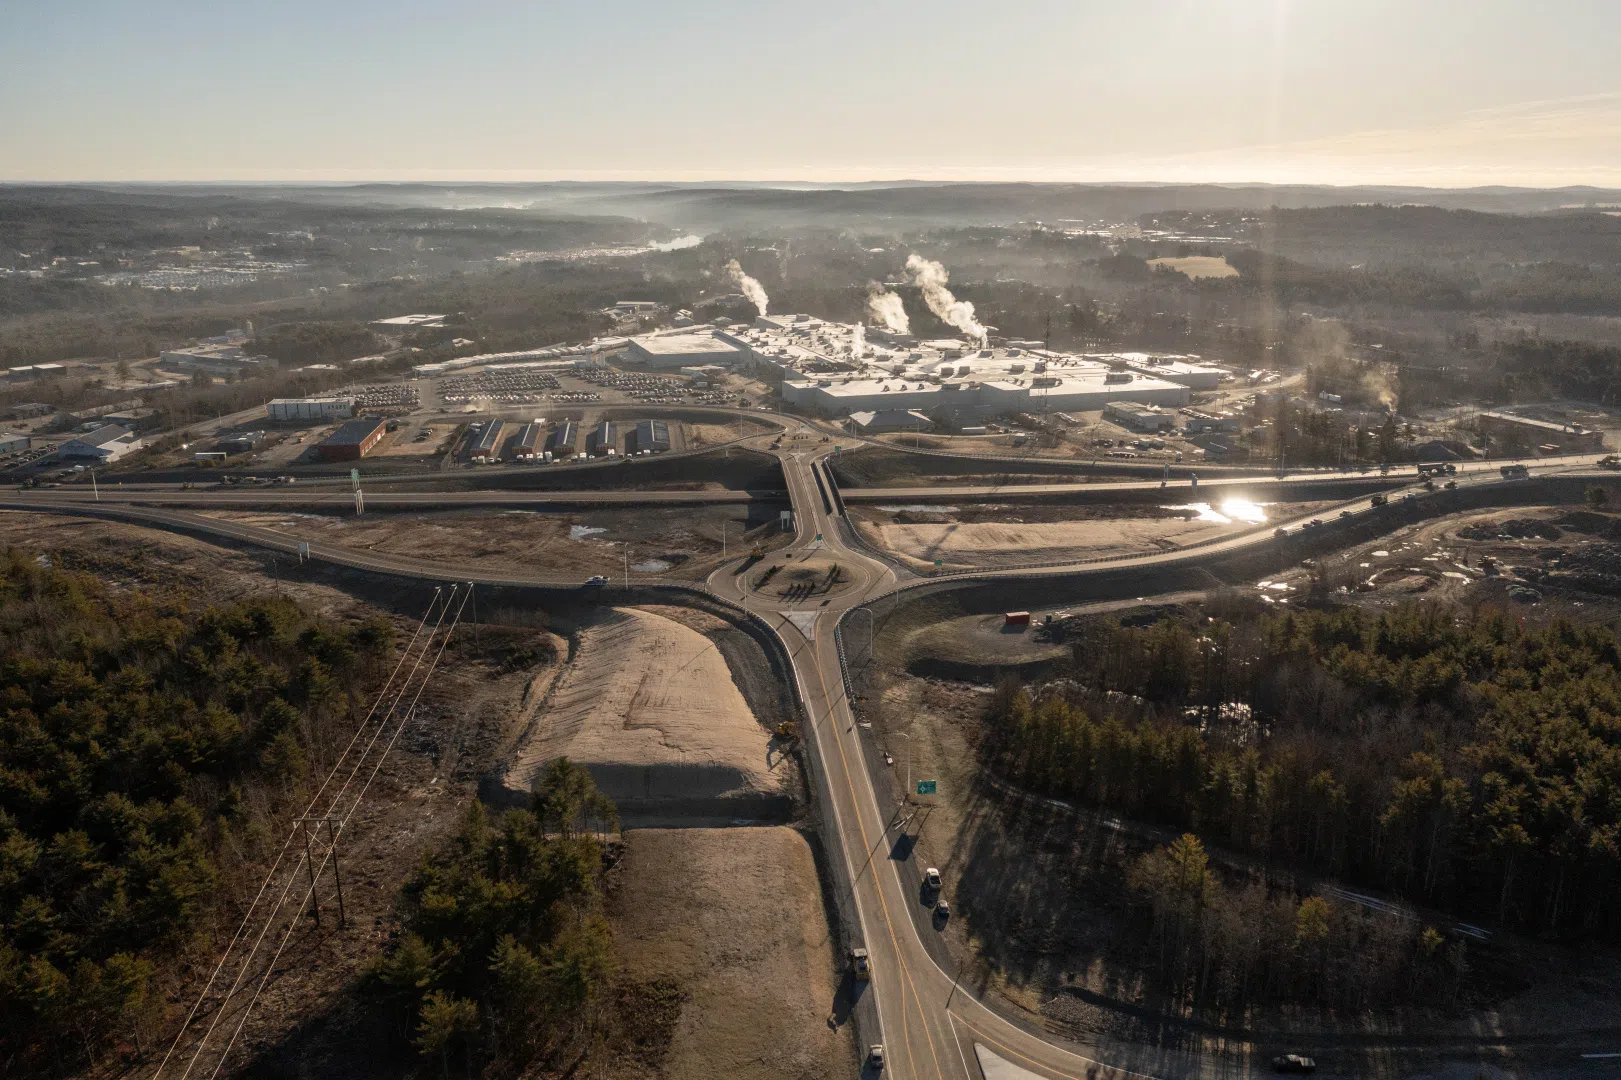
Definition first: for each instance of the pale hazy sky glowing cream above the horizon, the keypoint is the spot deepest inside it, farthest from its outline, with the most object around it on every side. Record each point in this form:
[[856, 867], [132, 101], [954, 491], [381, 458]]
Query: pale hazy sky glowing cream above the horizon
[[1338, 92]]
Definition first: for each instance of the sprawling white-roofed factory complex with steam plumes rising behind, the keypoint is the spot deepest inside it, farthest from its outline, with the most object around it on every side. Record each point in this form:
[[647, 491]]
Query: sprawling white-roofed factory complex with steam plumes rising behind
[[840, 369]]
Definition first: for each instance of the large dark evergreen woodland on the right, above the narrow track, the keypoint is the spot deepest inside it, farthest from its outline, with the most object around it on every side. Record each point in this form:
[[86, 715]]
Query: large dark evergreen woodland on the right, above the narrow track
[[1466, 760]]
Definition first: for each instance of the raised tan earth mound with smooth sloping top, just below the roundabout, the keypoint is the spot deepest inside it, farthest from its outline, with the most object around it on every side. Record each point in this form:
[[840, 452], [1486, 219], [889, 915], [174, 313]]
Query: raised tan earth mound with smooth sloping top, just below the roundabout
[[651, 708]]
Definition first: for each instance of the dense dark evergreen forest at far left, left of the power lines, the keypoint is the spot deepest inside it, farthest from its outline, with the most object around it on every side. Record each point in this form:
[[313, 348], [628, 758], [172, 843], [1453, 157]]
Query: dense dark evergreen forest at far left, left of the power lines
[[143, 737]]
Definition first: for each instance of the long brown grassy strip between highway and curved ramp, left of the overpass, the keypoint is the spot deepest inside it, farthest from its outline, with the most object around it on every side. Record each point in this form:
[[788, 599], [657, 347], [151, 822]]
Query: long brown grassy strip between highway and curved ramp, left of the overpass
[[664, 542]]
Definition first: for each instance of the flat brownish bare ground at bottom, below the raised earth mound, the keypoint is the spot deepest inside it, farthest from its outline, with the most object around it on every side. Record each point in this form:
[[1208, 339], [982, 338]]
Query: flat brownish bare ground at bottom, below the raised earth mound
[[732, 924]]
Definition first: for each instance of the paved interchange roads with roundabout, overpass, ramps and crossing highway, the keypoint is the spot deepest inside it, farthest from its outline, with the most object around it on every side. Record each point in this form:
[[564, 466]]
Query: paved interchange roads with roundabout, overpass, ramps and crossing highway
[[930, 1026]]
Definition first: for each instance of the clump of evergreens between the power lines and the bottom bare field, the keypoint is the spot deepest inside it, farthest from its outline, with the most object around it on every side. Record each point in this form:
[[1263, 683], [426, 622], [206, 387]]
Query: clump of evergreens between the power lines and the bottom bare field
[[507, 956]]
